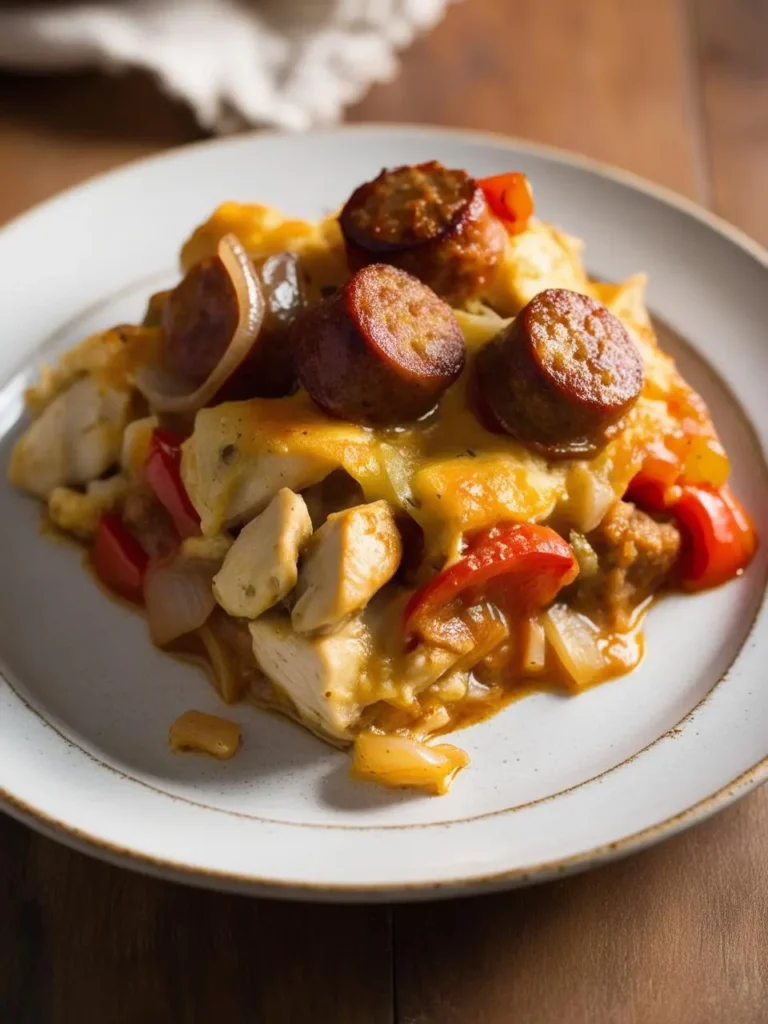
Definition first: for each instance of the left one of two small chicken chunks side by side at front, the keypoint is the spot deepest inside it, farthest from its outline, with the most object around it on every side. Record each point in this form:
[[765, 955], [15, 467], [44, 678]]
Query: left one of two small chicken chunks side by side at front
[[262, 567]]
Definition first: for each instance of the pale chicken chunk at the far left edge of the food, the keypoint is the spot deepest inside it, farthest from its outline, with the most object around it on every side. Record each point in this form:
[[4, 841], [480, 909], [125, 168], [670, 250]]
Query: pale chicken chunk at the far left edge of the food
[[76, 439]]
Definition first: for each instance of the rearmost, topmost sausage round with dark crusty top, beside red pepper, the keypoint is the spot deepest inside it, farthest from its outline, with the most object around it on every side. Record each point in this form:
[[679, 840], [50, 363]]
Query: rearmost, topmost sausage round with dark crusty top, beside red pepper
[[430, 221]]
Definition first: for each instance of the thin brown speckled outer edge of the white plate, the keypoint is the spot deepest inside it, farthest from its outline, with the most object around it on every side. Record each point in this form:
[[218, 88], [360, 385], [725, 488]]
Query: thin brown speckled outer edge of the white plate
[[467, 883]]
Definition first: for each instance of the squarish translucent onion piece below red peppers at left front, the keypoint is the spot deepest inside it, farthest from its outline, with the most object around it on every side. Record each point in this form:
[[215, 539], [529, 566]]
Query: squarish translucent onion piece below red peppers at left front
[[179, 596]]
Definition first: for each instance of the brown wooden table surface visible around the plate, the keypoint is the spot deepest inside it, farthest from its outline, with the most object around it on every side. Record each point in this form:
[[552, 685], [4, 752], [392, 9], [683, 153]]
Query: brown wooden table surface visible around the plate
[[677, 92]]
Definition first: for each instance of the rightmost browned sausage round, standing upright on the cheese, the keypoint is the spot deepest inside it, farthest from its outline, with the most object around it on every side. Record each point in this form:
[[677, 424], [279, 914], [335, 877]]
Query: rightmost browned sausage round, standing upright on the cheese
[[563, 376]]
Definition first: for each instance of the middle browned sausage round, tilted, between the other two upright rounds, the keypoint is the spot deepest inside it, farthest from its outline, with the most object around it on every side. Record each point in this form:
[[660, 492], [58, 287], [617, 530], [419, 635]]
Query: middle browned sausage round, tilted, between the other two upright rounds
[[381, 351]]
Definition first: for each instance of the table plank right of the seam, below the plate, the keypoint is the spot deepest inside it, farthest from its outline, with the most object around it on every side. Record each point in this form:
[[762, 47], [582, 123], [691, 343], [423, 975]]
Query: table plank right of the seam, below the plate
[[676, 935]]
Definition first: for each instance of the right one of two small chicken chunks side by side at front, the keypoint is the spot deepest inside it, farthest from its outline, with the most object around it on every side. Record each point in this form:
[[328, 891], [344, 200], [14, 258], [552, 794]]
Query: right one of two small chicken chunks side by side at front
[[350, 559]]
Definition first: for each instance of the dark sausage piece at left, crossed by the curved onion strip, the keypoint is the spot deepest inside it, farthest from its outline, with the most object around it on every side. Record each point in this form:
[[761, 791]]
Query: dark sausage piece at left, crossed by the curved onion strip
[[200, 317]]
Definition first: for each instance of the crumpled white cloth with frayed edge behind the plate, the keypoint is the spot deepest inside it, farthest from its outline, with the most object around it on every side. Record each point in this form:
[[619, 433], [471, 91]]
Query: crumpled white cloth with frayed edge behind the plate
[[290, 64]]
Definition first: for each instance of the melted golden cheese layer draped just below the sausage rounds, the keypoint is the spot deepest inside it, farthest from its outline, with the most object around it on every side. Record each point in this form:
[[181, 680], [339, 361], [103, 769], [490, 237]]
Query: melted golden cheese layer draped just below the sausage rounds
[[448, 473]]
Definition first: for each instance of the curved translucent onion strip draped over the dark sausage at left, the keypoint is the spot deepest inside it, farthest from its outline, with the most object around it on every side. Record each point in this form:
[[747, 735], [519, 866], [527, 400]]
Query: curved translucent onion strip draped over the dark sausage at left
[[168, 393]]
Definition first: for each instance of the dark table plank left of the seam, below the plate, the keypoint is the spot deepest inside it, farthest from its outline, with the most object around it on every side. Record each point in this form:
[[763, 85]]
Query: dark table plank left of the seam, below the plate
[[81, 942]]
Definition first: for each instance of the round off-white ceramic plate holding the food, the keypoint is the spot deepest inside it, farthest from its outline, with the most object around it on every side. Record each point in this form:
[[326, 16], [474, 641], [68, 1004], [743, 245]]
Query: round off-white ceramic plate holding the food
[[556, 784]]
